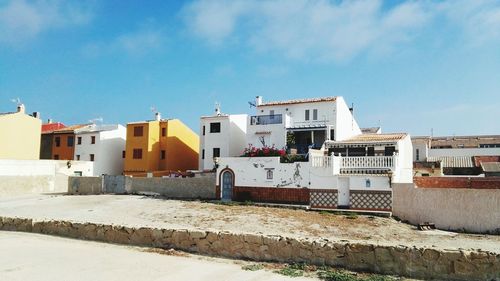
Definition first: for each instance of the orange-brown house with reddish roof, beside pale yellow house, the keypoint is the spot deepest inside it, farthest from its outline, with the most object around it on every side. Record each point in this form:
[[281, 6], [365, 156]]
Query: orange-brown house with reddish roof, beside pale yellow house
[[59, 144]]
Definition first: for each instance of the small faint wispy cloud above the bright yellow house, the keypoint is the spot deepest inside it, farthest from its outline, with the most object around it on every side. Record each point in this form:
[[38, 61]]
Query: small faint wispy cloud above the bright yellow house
[[135, 43]]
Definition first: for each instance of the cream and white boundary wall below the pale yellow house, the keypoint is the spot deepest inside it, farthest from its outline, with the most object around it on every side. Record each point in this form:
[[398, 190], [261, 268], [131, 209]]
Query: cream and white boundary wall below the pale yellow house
[[21, 177]]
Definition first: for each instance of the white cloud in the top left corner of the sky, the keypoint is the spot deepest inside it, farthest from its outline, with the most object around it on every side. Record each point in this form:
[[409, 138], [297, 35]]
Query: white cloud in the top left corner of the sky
[[22, 21]]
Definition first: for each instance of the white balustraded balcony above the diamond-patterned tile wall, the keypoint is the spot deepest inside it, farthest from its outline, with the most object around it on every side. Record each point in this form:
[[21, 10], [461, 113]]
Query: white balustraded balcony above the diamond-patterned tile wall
[[356, 165]]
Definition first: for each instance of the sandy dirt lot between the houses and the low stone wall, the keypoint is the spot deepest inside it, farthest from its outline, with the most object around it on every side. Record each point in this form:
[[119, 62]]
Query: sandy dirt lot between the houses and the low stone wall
[[147, 211]]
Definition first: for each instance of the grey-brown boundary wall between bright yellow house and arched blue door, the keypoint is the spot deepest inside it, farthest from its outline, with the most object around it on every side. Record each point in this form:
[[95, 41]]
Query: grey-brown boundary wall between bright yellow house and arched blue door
[[181, 188]]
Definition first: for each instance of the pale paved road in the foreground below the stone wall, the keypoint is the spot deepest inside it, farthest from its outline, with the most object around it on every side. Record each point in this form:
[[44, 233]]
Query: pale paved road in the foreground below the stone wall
[[27, 256]]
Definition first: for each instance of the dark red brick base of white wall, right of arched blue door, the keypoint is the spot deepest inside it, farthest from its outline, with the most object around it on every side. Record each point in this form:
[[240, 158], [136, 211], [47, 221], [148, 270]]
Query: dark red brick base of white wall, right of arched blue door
[[271, 194]]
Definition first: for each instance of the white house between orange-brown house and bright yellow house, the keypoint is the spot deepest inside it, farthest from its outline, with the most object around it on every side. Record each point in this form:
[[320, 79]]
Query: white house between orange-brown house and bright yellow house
[[104, 145]]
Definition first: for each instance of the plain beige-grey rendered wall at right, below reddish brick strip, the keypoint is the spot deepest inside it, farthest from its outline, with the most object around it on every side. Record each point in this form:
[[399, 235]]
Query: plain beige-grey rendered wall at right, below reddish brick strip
[[459, 209]]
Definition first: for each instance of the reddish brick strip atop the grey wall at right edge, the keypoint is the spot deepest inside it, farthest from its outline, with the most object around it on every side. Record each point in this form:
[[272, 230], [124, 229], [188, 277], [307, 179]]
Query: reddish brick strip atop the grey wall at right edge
[[457, 182]]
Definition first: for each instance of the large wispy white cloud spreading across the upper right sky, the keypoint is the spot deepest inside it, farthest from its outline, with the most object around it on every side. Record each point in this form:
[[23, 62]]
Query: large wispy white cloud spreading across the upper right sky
[[323, 30]]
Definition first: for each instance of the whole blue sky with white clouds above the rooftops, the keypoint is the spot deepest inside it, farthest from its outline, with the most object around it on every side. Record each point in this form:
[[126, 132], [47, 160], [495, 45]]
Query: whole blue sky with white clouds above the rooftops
[[408, 66]]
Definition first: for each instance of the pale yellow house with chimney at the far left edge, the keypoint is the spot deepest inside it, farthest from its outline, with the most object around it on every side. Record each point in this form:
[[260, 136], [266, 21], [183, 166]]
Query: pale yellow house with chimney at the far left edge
[[19, 135]]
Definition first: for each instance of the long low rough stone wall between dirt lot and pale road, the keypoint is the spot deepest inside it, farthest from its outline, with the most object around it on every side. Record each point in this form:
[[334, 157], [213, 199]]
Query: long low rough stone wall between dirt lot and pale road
[[398, 260]]
